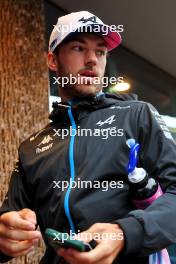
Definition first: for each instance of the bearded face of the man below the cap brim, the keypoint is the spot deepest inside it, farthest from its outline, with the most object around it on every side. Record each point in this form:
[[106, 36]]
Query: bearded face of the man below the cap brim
[[83, 56]]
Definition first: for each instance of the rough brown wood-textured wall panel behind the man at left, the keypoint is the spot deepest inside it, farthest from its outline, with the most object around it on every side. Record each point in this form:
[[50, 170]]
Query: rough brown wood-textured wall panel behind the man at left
[[23, 85]]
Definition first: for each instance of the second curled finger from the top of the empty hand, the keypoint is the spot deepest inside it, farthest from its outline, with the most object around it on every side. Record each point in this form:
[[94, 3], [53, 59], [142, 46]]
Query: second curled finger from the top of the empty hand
[[17, 234]]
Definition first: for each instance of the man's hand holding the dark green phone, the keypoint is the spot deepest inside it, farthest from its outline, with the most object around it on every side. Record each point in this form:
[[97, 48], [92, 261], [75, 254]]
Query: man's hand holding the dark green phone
[[110, 242]]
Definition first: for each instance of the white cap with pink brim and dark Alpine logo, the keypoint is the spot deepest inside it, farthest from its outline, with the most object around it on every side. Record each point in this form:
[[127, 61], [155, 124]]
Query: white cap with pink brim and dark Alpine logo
[[83, 21]]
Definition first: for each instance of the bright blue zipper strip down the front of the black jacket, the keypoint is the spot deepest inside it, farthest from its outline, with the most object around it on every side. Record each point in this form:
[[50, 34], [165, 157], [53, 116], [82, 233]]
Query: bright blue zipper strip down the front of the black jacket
[[72, 173]]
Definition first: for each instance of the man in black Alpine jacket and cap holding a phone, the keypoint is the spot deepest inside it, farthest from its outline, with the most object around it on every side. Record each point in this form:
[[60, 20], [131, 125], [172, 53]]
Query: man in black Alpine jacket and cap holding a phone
[[49, 158]]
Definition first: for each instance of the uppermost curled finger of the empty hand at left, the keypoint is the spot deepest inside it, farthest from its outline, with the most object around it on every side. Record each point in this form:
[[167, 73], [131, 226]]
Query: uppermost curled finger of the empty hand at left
[[14, 220]]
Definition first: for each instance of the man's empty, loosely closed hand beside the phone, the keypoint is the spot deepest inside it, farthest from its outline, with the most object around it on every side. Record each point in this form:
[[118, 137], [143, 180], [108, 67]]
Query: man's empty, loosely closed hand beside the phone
[[17, 232]]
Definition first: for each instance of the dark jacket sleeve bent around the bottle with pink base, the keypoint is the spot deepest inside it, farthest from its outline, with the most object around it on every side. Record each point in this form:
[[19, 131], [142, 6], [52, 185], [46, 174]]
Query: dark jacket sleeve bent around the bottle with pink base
[[155, 227]]
